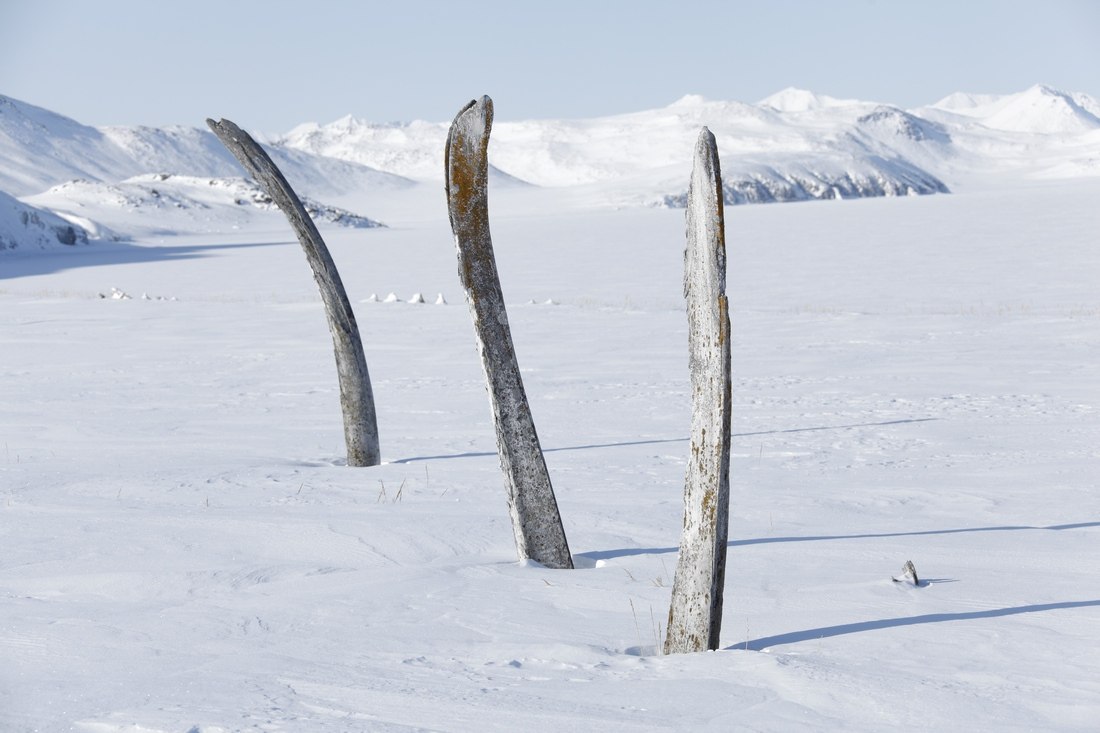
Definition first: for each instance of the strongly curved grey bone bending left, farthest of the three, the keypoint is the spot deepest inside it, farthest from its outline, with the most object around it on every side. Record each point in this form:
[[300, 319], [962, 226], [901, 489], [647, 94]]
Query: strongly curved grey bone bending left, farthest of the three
[[357, 399]]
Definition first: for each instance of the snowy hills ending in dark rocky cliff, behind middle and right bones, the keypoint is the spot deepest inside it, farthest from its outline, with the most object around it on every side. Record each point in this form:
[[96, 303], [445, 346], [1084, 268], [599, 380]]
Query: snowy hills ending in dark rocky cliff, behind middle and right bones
[[791, 147]]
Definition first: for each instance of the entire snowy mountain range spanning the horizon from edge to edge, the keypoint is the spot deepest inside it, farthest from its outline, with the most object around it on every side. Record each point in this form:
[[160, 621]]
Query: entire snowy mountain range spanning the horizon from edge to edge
[[793, 146]]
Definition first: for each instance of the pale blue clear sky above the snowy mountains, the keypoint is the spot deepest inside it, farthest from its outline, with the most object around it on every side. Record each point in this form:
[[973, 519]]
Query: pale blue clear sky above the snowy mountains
[[270, 65]]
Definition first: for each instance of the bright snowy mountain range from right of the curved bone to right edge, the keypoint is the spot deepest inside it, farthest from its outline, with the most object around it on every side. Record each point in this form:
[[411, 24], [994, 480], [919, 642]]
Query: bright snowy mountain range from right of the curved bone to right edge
[[791, 146]]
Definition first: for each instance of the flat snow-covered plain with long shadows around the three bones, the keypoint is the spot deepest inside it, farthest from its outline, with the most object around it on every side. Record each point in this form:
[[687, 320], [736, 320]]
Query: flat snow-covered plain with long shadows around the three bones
[[916, 379]]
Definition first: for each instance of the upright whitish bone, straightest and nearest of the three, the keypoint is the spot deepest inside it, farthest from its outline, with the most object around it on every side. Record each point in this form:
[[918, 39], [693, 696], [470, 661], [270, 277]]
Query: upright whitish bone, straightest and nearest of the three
[[696, 612]]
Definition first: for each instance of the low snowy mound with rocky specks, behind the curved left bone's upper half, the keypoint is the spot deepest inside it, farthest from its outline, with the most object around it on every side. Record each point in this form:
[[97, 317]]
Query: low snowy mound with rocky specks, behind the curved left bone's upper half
[[185, 204]]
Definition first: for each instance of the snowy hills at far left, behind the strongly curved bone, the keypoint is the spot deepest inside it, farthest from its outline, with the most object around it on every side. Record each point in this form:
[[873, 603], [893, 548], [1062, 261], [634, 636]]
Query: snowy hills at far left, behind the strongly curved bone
[[118, 182]]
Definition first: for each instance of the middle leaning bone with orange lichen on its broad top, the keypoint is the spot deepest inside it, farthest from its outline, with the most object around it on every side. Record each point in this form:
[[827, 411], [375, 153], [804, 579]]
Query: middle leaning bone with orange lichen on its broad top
[[532, 502]]
